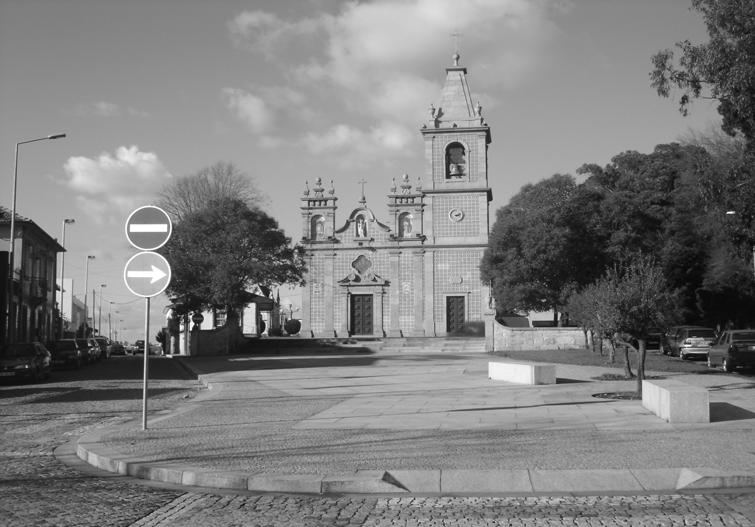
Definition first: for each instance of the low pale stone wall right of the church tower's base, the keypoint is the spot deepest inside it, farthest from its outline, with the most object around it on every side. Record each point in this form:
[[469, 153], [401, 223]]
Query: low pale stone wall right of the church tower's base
[[502, 338]]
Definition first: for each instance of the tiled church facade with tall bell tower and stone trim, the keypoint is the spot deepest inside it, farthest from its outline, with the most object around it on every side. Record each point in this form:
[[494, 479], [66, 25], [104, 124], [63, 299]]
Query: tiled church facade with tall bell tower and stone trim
[[413, 270]]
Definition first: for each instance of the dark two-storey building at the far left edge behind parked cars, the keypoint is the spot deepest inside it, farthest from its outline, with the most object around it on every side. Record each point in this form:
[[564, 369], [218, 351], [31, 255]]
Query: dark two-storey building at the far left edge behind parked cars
[[33, 286]]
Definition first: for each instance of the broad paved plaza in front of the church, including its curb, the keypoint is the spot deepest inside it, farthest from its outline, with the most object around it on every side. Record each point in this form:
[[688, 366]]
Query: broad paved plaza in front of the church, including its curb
[[357, 421]]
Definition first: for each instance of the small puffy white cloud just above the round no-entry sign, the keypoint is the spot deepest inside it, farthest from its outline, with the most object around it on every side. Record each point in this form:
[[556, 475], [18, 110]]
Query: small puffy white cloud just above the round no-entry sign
[[115, 183]]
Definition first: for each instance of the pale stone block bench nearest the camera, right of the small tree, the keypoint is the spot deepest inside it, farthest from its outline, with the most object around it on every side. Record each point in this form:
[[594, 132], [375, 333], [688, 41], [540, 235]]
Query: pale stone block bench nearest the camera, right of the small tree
[[676, 401]]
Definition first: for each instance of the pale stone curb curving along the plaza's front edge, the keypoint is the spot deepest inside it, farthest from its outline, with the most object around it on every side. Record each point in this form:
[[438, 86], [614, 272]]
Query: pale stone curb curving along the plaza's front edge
[[437, 482]]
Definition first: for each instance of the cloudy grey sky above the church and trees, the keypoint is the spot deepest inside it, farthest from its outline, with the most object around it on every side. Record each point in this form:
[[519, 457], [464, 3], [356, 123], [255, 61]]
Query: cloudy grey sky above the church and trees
[[148, 91]]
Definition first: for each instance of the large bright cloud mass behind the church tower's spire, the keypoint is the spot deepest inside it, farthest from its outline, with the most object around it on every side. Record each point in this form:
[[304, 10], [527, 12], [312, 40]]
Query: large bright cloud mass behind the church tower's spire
[[382, 62]]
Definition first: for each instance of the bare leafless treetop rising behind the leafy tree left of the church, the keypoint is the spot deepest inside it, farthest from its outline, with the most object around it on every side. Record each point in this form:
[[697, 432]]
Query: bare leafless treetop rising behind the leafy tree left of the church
[[192, 193]]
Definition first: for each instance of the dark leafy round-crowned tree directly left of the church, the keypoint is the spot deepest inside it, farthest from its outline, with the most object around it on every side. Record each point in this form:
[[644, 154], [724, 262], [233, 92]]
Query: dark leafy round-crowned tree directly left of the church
[[218, 252]]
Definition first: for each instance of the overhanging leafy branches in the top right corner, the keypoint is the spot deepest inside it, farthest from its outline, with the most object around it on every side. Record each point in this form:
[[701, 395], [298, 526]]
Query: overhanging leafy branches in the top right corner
[[722, 69]]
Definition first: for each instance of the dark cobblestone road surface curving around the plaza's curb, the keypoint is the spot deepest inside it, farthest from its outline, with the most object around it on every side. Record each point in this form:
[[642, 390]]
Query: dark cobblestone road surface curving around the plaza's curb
[[38, 490]]
